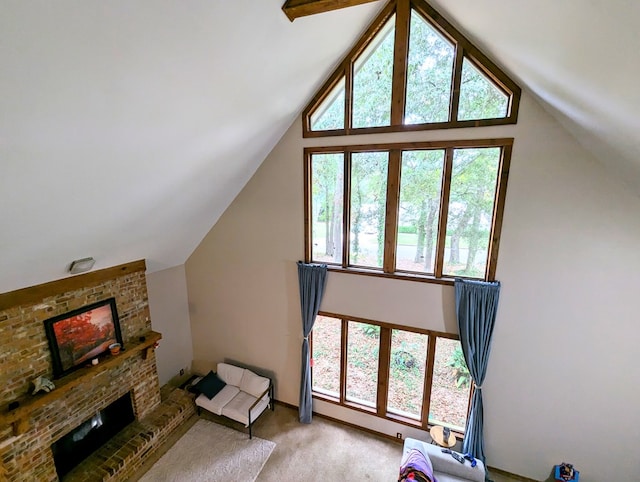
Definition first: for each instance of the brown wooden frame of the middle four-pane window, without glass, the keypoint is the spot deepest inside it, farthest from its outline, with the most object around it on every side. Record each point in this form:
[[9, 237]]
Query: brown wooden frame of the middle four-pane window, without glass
[[393, 194]]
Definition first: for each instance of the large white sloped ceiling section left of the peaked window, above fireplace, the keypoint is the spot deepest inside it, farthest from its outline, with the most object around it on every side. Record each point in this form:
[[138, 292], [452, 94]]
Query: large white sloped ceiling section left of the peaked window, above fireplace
[[128, 127]]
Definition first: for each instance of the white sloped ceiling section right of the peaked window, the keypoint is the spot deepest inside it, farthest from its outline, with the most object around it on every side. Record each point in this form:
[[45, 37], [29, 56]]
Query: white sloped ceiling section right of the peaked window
[[578, 57]]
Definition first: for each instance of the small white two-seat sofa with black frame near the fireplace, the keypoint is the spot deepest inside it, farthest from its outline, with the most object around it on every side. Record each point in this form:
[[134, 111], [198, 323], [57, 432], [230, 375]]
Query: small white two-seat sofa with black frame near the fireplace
[[243, 399]]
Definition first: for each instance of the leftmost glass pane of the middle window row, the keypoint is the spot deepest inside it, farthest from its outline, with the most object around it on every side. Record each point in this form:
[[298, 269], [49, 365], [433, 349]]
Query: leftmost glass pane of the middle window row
[[327, 174]]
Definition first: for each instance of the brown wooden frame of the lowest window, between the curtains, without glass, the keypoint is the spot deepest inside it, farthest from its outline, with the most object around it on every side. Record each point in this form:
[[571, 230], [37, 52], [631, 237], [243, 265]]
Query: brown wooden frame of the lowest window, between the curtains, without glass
[[384, 358]]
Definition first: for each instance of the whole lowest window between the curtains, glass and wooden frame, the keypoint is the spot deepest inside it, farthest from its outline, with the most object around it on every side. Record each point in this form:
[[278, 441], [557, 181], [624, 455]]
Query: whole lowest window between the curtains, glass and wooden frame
[[408, 375]]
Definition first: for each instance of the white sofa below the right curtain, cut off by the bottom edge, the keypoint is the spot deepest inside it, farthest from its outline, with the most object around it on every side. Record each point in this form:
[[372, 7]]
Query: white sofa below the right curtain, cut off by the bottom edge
[[445, 467]]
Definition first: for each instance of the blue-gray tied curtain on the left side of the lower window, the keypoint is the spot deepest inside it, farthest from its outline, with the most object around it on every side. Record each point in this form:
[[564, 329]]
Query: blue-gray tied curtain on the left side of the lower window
[[312, 279]]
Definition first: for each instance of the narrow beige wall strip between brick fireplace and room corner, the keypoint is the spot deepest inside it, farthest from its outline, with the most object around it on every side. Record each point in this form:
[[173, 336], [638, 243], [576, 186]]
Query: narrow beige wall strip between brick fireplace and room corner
[[169, 307]]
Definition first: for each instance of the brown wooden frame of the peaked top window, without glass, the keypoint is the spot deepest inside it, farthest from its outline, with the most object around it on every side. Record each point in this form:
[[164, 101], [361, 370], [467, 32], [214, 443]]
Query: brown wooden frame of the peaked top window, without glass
[[463, 49]]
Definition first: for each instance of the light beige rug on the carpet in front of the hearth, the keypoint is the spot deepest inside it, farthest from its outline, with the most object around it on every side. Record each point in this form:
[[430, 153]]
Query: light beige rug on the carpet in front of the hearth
[[211, 452]]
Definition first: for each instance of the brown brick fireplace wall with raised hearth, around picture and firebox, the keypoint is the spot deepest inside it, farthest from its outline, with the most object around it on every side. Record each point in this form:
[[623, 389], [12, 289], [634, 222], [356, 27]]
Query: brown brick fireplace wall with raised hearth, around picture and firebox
[[25, 355]]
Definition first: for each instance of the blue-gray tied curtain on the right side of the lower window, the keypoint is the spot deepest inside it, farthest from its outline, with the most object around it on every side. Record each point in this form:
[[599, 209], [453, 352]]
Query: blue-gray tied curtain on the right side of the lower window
[[476, 308]]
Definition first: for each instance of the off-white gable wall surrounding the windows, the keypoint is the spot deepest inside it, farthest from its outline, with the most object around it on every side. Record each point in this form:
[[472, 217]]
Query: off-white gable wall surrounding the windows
[[563, 380]]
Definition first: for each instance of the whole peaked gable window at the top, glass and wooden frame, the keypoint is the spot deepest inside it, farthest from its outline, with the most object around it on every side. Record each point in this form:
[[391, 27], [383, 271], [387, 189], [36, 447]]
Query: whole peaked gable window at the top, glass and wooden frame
[[411, 70]]
